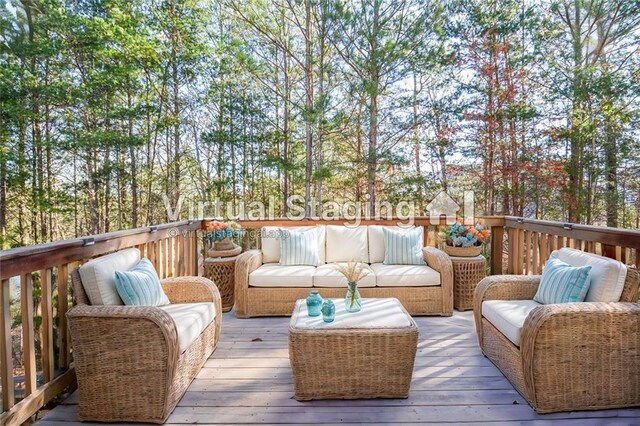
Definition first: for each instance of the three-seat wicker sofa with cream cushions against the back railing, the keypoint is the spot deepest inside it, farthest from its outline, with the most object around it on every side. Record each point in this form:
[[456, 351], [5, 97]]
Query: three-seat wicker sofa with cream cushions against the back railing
[[263, 287]]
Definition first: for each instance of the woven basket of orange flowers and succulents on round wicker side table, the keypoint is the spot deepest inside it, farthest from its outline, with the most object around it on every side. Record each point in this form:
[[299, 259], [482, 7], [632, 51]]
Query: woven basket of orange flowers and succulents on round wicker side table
[[464, 240]]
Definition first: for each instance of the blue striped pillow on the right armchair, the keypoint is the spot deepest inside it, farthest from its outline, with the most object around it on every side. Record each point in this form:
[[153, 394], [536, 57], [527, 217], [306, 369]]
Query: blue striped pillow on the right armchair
[[562, 283]]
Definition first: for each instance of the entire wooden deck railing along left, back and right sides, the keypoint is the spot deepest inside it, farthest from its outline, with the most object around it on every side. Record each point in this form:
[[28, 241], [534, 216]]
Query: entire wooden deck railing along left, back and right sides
[[519, 246]]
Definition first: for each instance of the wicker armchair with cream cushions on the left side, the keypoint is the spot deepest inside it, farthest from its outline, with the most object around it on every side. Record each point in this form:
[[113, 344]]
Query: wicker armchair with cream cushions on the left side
[[134, 363]]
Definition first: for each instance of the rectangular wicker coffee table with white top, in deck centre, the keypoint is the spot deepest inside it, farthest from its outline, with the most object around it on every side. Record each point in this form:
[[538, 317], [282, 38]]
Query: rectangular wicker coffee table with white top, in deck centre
[[367, 354]]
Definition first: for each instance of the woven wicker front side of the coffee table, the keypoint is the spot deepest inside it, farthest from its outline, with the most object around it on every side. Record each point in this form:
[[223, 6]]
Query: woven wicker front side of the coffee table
[[352, 363]]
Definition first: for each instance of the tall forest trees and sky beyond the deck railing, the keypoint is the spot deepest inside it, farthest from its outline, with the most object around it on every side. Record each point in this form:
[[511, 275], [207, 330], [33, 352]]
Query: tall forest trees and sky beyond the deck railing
[[109, 105]]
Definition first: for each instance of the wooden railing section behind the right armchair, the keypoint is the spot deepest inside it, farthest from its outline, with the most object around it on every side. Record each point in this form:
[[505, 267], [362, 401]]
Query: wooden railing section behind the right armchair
[[529, 243]]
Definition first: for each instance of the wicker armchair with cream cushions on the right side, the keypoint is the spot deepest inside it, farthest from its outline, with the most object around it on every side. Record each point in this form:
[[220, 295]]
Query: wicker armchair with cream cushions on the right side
[[564, 357]]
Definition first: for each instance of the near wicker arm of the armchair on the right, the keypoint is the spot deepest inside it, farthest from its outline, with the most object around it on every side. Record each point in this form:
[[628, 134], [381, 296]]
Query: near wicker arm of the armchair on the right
[[572, 347]]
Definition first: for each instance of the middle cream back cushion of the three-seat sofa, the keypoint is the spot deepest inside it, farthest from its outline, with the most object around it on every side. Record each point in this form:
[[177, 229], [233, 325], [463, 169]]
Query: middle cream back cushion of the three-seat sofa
[[346, 243]]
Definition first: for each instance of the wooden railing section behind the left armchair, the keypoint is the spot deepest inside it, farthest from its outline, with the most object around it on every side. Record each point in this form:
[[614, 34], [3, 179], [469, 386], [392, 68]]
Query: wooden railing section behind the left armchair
[[174, 249]]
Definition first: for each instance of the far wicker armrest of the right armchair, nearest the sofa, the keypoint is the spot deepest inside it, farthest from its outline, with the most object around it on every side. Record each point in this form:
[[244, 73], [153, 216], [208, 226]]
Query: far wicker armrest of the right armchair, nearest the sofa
[[502, 287]]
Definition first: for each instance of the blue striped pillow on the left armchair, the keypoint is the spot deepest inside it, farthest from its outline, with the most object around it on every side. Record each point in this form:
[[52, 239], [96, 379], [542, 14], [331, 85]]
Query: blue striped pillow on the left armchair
[[140, 285]]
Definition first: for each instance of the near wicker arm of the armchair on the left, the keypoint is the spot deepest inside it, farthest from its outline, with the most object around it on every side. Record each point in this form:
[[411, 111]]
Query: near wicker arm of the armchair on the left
[[123, 350]]
